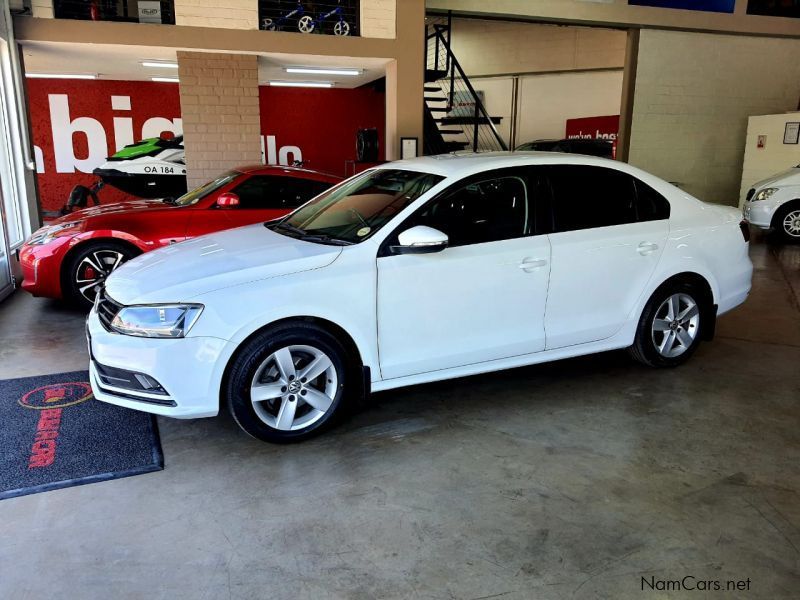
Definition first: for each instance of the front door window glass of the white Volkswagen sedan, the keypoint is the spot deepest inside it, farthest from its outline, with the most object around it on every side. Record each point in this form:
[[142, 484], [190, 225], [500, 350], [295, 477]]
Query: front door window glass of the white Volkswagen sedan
[[481, 211]]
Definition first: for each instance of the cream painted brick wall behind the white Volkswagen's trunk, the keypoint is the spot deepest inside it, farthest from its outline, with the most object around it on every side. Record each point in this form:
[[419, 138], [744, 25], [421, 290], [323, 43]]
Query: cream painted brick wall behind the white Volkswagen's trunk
[[694, 94]]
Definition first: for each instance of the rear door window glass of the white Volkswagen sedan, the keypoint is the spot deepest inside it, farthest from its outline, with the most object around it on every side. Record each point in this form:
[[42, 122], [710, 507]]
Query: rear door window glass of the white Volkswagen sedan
[[585, 197]]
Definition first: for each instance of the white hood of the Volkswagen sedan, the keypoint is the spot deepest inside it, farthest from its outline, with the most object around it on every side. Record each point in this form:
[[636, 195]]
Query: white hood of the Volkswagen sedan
[[184, 271]]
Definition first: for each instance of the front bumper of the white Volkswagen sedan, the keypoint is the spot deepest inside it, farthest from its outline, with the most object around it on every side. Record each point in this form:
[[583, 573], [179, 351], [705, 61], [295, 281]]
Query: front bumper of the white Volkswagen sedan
[[189, 369]]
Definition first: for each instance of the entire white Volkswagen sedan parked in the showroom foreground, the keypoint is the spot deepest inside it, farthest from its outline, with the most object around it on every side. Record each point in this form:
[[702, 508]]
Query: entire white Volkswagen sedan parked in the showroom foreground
[[416, 271]]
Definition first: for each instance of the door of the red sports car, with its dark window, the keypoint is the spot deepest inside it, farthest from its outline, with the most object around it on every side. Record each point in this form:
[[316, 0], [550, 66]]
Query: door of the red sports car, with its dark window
[[261, 198]]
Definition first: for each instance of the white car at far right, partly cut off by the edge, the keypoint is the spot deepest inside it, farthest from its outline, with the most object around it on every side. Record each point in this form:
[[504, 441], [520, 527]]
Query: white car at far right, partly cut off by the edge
[[774, 203]]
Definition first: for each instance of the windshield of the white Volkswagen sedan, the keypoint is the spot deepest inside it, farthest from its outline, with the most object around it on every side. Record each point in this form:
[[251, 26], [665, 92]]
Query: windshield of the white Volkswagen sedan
[[355, 210]]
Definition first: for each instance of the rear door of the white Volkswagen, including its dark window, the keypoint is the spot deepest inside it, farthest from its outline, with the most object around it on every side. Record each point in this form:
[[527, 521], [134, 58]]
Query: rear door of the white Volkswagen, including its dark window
[[609, 231]]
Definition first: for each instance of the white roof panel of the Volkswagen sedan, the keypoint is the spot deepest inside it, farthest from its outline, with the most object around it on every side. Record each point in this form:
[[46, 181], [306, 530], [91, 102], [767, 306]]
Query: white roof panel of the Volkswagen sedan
[[459, 165]]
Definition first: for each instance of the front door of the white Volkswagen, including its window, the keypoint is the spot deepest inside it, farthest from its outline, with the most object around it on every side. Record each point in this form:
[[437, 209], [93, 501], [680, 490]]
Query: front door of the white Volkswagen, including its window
[[480, 299]]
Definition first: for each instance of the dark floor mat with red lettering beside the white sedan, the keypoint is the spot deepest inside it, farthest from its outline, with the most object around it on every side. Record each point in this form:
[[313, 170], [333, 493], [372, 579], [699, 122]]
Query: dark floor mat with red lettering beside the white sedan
[[54, 434]]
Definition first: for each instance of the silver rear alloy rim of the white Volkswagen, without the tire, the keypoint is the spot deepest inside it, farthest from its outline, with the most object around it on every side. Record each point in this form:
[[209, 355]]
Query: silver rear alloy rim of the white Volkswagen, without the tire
[[675, 325]]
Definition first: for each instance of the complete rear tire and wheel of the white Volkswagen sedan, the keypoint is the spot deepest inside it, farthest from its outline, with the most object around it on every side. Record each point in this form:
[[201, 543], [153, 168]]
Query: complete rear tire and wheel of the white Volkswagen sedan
[[670, 327]]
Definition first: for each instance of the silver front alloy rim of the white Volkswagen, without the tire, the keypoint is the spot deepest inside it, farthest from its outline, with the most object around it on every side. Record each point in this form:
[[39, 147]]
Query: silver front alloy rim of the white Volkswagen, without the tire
[[294, 387]]
